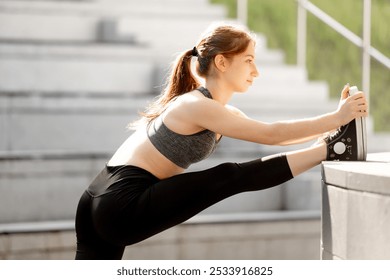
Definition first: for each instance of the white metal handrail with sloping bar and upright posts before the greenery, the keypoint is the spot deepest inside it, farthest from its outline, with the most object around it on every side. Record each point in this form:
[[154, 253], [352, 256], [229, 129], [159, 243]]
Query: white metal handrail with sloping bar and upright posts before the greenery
[[364, 43]]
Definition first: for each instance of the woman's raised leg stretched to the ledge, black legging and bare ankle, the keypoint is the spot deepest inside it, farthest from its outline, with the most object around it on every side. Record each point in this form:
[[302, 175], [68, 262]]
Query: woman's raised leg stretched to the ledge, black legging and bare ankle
[[176, 199]]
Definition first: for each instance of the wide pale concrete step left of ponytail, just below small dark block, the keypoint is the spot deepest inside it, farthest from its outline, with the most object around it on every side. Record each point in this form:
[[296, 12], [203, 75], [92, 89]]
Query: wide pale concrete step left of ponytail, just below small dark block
[[74, 73]]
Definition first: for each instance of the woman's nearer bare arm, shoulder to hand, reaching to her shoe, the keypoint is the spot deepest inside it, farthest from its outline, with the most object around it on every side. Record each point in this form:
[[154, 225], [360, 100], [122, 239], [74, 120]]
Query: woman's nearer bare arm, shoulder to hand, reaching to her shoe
[[212, 115]]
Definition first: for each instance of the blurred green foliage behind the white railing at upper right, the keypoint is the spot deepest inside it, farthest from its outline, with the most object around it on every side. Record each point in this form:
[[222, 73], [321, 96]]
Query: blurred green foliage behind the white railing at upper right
[[330, 57]]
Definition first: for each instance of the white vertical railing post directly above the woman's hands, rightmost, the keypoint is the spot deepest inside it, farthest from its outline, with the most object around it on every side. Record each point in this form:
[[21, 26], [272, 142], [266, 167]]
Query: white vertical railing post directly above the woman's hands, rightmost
[[366, 57]]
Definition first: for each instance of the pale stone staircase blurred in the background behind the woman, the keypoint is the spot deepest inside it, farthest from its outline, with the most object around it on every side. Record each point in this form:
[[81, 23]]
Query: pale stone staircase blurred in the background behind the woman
[[74, 73]]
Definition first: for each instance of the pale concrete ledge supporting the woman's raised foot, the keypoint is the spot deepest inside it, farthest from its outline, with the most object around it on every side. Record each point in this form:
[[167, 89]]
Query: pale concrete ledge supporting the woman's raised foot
[[355, 209]]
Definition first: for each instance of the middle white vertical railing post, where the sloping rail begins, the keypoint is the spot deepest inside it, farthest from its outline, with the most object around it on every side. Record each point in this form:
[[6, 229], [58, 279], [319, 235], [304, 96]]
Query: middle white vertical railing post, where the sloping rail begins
[[301, 33]]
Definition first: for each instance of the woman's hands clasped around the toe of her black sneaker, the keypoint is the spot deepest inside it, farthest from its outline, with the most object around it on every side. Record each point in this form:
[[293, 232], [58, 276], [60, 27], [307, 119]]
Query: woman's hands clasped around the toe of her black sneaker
[[351, 107]]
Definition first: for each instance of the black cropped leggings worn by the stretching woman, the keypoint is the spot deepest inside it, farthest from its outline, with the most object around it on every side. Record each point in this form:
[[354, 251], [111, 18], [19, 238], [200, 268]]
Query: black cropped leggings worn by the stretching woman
[[126, 204]]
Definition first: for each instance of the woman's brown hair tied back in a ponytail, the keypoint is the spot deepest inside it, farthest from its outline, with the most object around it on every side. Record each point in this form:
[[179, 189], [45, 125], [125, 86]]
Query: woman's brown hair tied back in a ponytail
[[227, 40]]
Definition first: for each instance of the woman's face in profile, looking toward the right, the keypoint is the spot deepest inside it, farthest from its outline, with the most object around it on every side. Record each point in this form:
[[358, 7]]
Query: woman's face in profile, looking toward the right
[[242, 70]]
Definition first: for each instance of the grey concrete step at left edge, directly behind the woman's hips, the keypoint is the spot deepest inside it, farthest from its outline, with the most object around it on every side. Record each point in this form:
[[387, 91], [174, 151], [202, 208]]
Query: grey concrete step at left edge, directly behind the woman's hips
[[52, 187]]
